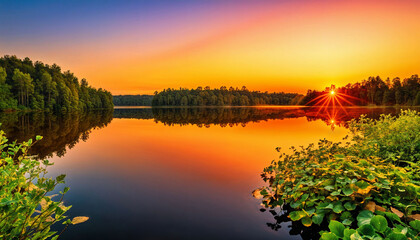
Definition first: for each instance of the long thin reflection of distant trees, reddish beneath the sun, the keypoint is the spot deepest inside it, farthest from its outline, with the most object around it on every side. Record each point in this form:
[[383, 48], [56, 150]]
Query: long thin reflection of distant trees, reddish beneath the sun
[[241, 116]]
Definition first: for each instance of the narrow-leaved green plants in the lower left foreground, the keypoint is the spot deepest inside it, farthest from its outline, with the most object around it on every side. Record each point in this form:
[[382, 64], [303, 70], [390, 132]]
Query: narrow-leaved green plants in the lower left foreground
[[27, 208]]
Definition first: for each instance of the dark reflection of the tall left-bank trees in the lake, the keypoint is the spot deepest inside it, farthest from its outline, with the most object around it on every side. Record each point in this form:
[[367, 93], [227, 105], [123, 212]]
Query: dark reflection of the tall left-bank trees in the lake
[[60, 132]]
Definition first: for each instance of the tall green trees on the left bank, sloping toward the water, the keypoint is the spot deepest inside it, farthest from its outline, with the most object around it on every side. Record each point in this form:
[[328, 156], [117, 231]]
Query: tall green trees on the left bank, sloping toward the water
[[34, 85]]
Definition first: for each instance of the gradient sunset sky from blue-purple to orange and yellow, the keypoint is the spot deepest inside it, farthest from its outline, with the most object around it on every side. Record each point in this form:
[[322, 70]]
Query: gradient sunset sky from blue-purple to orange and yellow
[[132, 47]]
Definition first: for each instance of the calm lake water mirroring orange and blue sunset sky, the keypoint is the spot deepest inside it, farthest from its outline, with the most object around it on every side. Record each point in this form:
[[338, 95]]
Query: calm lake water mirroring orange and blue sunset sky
[[174, 173]]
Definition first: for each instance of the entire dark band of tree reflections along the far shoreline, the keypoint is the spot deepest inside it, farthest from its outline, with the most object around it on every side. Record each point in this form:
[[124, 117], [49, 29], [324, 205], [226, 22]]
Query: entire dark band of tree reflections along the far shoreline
[[63, 132]]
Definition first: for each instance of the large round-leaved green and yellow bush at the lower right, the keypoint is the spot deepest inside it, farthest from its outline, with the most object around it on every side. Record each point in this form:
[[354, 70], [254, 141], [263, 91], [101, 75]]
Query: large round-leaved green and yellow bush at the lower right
[[337, 184]]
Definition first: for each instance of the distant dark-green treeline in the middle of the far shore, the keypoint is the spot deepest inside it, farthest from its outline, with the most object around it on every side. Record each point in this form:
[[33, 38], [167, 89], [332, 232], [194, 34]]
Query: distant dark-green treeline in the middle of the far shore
[[222, 97]]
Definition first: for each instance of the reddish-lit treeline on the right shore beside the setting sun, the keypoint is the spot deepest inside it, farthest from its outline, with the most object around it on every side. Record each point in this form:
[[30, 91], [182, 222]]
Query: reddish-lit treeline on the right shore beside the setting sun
[[376, 91]]
